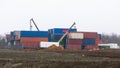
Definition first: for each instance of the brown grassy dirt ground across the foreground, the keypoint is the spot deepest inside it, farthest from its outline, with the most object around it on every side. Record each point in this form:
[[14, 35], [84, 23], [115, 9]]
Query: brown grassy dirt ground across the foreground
[[59, 59]]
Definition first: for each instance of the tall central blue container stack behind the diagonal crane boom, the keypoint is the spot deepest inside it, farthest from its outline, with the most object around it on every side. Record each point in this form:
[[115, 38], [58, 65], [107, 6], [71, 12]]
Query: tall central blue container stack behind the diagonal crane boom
[[56, 33]]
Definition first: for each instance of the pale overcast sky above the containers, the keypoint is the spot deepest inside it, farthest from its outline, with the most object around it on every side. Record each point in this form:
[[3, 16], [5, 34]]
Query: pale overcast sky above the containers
[[102, 16]]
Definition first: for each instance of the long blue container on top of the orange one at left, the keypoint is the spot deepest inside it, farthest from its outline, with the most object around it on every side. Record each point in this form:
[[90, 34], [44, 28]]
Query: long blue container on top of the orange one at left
[[34, 34]]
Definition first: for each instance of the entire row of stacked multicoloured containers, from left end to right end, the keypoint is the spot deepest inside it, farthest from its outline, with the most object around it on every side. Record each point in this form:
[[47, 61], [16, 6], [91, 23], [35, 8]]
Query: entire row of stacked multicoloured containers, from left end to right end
[[43, 39]]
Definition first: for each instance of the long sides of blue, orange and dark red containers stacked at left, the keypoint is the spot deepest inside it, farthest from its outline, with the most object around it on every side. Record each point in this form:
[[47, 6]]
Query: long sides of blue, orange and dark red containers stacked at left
[[31, 39]]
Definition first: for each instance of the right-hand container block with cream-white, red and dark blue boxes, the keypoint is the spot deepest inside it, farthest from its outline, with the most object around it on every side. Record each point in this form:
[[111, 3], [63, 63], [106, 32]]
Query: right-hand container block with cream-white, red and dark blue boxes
[[83, 40]]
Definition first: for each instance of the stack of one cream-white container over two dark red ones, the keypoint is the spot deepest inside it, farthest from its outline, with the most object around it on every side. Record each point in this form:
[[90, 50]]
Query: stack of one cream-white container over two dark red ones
[[74, 40]]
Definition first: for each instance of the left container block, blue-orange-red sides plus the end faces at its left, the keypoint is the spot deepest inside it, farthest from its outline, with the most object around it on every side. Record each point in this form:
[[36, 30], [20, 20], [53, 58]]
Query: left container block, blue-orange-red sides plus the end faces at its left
[[29, 39]]
